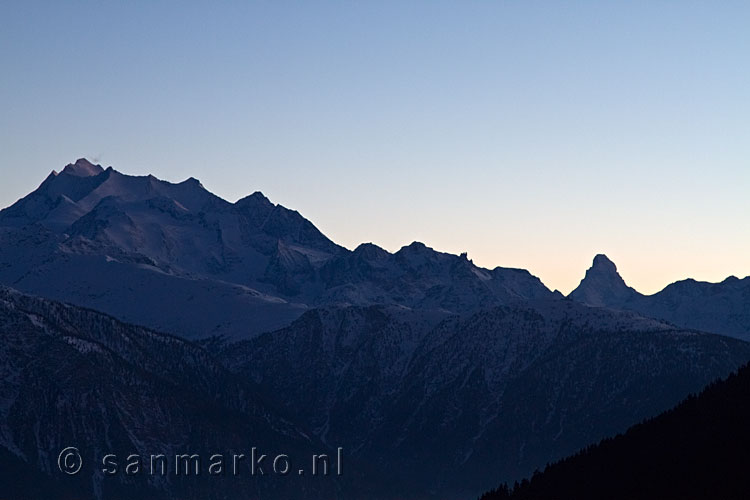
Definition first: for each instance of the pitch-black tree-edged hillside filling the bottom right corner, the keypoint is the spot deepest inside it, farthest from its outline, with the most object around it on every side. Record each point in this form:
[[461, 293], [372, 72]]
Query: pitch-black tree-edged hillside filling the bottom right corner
[[699, 449]]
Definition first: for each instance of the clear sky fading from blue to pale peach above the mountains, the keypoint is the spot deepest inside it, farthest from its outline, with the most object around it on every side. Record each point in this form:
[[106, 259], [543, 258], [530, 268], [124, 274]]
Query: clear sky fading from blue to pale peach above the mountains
[[529, 134]]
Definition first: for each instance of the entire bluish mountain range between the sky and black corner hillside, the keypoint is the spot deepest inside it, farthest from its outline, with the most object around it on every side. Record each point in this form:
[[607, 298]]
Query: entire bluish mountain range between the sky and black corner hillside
[[439, 375]]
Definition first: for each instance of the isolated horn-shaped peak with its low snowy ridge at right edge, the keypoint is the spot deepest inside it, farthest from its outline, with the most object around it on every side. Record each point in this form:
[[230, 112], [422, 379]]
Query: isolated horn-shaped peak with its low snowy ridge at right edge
[[713, 307]]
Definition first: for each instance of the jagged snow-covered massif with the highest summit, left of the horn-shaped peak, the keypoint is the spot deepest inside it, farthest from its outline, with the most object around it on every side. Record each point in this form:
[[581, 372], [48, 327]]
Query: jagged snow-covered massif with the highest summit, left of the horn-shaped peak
[[148, 251]]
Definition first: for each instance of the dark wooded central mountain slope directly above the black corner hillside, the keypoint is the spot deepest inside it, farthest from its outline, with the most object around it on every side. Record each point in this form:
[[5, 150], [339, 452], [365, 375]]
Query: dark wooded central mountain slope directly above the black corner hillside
[[444, 404]]
